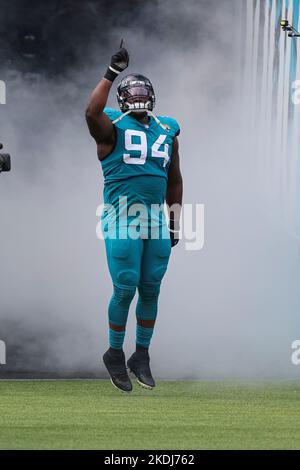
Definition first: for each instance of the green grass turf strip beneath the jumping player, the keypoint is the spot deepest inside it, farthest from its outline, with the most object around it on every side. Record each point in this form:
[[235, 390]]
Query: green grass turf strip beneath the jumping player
[[176, 415]]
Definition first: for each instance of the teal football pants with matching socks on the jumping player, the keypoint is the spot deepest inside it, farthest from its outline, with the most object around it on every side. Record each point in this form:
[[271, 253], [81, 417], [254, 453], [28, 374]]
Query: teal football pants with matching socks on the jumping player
[[135, 264]]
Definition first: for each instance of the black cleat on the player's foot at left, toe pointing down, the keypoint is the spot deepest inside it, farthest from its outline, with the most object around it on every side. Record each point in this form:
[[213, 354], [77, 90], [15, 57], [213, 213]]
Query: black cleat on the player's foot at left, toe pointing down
[[114, 361]]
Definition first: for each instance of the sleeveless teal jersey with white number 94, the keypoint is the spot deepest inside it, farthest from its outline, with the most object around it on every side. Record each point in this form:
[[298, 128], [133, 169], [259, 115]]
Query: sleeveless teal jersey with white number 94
[[137, 168]]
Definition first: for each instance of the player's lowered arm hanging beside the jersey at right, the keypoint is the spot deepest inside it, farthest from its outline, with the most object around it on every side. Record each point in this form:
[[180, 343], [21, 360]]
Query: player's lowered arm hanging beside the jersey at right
[[174, 193]]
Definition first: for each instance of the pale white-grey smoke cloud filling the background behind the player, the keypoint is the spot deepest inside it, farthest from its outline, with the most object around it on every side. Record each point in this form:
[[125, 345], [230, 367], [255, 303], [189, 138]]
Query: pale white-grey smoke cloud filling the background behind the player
[[230, 310]]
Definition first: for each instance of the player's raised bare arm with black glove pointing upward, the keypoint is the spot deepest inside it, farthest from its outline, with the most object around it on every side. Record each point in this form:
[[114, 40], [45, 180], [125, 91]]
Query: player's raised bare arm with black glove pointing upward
[[100, 126]]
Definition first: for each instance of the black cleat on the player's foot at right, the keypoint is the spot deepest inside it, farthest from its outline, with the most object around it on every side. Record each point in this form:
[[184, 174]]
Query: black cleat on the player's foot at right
[[139, 364]]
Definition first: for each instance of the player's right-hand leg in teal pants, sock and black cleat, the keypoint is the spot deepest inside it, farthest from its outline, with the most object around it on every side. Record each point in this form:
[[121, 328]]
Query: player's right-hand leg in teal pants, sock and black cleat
[[155, 260]]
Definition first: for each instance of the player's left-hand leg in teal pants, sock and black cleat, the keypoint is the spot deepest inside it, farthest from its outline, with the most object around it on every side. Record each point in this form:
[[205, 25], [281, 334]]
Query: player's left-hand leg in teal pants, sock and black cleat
[[124, 261]]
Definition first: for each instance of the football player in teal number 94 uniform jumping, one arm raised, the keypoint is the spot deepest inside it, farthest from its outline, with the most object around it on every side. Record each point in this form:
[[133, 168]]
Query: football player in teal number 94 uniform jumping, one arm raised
[[139, 157]]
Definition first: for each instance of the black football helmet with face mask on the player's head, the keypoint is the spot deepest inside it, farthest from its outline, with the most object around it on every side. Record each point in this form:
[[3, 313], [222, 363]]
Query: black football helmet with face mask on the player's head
[[135, 93]]
